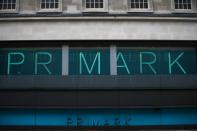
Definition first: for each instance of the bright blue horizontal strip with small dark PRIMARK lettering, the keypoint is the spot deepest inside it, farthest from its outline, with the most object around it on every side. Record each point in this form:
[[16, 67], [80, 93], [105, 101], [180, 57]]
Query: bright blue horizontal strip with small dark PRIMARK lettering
[[98, 117]]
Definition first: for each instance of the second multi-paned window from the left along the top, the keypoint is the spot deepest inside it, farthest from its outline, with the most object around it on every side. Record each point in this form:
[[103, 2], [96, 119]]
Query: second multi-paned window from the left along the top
[[49, 4]]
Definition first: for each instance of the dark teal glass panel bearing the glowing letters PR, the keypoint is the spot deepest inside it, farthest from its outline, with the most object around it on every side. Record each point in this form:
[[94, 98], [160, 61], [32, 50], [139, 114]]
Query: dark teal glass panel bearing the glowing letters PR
[[30, 61]]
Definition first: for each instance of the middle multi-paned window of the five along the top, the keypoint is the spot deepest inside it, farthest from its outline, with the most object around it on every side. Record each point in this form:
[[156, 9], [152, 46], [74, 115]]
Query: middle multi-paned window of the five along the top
[[94, 4]]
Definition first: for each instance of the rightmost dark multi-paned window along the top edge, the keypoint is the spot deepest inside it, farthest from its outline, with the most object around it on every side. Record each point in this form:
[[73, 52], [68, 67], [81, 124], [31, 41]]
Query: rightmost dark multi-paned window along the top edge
[[183, 4]]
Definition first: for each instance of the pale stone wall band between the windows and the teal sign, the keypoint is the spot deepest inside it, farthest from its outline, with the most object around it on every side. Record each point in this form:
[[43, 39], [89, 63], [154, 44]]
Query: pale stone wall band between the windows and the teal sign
[[98, 28]]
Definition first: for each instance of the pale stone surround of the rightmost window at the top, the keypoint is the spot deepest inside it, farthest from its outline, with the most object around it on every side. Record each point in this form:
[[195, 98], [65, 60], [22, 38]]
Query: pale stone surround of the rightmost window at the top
[[192, 10]]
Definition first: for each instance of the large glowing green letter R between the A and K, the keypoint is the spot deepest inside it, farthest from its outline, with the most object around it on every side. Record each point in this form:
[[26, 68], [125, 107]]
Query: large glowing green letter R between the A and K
[[147, 63]]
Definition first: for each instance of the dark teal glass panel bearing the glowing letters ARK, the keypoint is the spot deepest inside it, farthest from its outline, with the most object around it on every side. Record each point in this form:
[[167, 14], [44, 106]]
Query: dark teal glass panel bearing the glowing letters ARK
[[155, 61]]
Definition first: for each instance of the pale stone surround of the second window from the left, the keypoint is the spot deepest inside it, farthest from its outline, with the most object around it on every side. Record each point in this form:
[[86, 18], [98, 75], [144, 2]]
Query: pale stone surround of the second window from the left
[[59, 9]]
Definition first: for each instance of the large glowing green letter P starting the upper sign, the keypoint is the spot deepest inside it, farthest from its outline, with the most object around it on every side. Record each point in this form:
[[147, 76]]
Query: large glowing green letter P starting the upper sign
[[14, 63]]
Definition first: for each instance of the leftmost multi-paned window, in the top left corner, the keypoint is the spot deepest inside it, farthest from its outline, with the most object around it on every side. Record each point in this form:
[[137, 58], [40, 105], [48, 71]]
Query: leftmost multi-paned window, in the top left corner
[[7, 4]]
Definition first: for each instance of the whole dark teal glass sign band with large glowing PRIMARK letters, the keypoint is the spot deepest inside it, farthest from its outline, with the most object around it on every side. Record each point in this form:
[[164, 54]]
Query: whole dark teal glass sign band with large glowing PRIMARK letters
[[96, 61]]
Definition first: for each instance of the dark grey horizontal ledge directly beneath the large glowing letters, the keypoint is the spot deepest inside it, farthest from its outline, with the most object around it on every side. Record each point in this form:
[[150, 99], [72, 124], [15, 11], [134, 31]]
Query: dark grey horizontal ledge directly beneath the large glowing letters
[[158, 82]]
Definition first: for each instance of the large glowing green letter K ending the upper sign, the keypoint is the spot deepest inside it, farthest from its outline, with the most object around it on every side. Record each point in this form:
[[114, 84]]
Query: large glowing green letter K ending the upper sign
[[171, 63]]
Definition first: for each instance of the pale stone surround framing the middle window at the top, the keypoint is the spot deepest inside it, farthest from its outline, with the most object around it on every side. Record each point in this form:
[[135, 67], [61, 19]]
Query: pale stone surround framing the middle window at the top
[[104, 9]]
